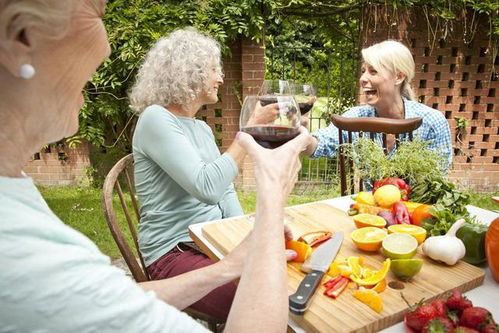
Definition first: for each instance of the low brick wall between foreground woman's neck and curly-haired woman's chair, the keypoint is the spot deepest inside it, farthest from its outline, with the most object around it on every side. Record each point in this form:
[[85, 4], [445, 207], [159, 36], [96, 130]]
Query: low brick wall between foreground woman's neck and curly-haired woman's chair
[[58, 164]]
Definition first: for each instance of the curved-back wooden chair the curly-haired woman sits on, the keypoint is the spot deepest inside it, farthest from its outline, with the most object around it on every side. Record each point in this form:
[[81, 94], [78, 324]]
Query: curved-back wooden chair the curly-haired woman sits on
[[124, 169]]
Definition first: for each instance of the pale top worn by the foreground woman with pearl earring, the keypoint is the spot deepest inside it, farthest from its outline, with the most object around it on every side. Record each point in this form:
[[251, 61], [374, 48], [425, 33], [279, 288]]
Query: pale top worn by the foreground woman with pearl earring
[[54, 279]]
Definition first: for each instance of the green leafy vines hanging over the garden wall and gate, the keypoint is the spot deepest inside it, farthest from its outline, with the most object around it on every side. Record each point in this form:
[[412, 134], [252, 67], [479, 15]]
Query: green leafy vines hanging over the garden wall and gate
[[306, 40]]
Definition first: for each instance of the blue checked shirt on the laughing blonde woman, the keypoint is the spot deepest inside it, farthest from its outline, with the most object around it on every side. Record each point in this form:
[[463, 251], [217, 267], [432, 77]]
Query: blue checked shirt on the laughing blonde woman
[[434, 129]]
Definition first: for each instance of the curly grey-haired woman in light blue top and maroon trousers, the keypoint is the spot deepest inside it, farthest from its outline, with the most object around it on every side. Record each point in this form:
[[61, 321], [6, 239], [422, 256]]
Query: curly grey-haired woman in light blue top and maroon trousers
[[180, 176]]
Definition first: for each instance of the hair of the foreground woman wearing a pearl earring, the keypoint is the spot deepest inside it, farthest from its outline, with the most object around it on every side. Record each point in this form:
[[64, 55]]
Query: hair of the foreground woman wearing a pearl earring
[[50, 18]]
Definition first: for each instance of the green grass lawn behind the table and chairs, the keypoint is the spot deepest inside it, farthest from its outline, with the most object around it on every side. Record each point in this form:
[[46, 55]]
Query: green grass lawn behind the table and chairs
[[81, 208]]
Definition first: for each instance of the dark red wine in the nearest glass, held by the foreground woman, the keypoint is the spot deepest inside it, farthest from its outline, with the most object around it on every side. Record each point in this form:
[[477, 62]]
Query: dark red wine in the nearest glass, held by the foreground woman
[[271, 136]]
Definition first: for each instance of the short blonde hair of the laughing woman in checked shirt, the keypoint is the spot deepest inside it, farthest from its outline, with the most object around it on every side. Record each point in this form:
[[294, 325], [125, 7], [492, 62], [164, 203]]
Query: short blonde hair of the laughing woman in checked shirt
[[394, 57]]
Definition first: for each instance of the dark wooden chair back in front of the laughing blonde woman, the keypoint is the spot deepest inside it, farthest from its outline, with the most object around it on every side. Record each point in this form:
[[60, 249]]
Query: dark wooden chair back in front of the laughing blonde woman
[[362, 126]]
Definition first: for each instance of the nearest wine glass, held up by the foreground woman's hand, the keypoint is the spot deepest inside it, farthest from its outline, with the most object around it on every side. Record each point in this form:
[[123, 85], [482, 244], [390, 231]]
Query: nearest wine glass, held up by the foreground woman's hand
[[272, 120]]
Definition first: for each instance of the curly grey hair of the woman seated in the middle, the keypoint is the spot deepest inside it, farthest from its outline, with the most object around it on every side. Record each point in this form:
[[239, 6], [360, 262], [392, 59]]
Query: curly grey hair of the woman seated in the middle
[[176, 70]]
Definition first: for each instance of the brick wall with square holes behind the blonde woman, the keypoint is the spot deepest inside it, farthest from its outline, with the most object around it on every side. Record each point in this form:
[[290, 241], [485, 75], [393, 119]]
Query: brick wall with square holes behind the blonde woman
[[460, 80]]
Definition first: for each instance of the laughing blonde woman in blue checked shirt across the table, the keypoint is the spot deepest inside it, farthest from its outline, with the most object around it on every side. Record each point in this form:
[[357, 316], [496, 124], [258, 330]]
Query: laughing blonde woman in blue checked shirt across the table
[[387, 71]]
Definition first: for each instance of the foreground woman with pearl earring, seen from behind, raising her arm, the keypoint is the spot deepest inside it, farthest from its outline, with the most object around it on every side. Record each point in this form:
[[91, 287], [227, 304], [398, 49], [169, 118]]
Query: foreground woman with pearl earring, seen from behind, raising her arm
[[53, 278]]
